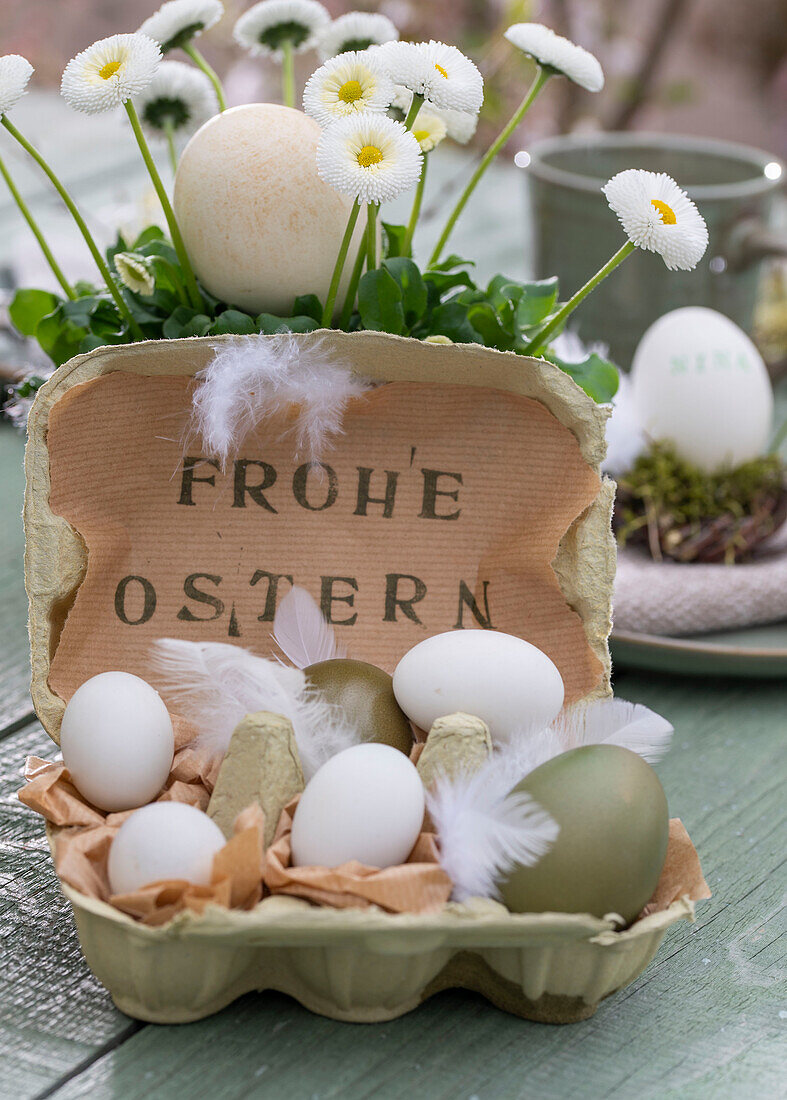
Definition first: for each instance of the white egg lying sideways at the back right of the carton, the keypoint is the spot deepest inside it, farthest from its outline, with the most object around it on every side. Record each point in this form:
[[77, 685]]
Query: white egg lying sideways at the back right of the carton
[[497, 677]]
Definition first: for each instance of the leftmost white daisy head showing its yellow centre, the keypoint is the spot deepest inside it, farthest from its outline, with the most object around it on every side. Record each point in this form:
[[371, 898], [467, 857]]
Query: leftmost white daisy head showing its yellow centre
[[110, 73]]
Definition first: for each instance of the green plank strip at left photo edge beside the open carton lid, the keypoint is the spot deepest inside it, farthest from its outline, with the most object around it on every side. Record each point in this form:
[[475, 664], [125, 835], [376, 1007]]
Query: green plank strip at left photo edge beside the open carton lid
[[15, 661]]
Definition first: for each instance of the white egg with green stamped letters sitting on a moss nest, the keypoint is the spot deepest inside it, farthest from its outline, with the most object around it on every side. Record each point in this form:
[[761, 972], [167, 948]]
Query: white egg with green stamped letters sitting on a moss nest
[[699, 382]]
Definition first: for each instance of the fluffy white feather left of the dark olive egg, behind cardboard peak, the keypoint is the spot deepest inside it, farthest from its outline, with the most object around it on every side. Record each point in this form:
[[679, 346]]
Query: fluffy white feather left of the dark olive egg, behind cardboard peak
[[215, 686]]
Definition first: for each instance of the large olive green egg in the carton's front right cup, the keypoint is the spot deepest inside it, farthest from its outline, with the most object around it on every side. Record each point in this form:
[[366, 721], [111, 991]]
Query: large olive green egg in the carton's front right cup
[[613, 844]]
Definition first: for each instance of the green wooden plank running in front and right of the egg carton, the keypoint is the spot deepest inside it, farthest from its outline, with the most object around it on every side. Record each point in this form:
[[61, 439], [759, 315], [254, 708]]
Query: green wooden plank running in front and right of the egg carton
[[703, 1021]]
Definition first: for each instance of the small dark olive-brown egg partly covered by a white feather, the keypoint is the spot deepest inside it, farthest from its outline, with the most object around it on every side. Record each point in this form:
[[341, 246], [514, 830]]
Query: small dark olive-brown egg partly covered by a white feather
[[366, 695]]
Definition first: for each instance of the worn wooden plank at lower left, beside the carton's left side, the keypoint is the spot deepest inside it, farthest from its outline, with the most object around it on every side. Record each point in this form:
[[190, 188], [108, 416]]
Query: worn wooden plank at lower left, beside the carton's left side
[[54, 1016]]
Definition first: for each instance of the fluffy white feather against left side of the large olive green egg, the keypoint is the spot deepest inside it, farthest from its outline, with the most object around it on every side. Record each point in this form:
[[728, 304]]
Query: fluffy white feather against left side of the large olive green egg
[[485, 831]]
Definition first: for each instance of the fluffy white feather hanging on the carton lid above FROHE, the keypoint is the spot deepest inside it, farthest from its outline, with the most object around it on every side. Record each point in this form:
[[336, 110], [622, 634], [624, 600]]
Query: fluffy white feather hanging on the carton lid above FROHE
[[254, 379]]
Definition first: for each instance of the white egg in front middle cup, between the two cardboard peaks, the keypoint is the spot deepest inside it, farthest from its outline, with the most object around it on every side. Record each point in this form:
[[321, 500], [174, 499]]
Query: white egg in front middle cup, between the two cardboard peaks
[[366, 804]]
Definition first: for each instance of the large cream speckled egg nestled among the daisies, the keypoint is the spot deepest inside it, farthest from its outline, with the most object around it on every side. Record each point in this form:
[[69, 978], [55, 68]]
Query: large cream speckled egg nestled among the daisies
[[259, 225]]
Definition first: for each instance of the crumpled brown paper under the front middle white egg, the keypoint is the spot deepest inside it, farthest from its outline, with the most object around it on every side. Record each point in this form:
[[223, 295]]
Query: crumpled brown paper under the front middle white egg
[[420, 886]]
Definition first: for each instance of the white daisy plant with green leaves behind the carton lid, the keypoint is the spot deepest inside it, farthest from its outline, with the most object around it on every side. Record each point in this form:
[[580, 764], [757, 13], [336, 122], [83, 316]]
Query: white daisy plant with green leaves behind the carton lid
[[384, 107]]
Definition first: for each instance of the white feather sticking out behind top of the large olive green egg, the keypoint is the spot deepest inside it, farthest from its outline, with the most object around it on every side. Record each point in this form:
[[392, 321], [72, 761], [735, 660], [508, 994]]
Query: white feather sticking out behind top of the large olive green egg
[[615, 722]]
